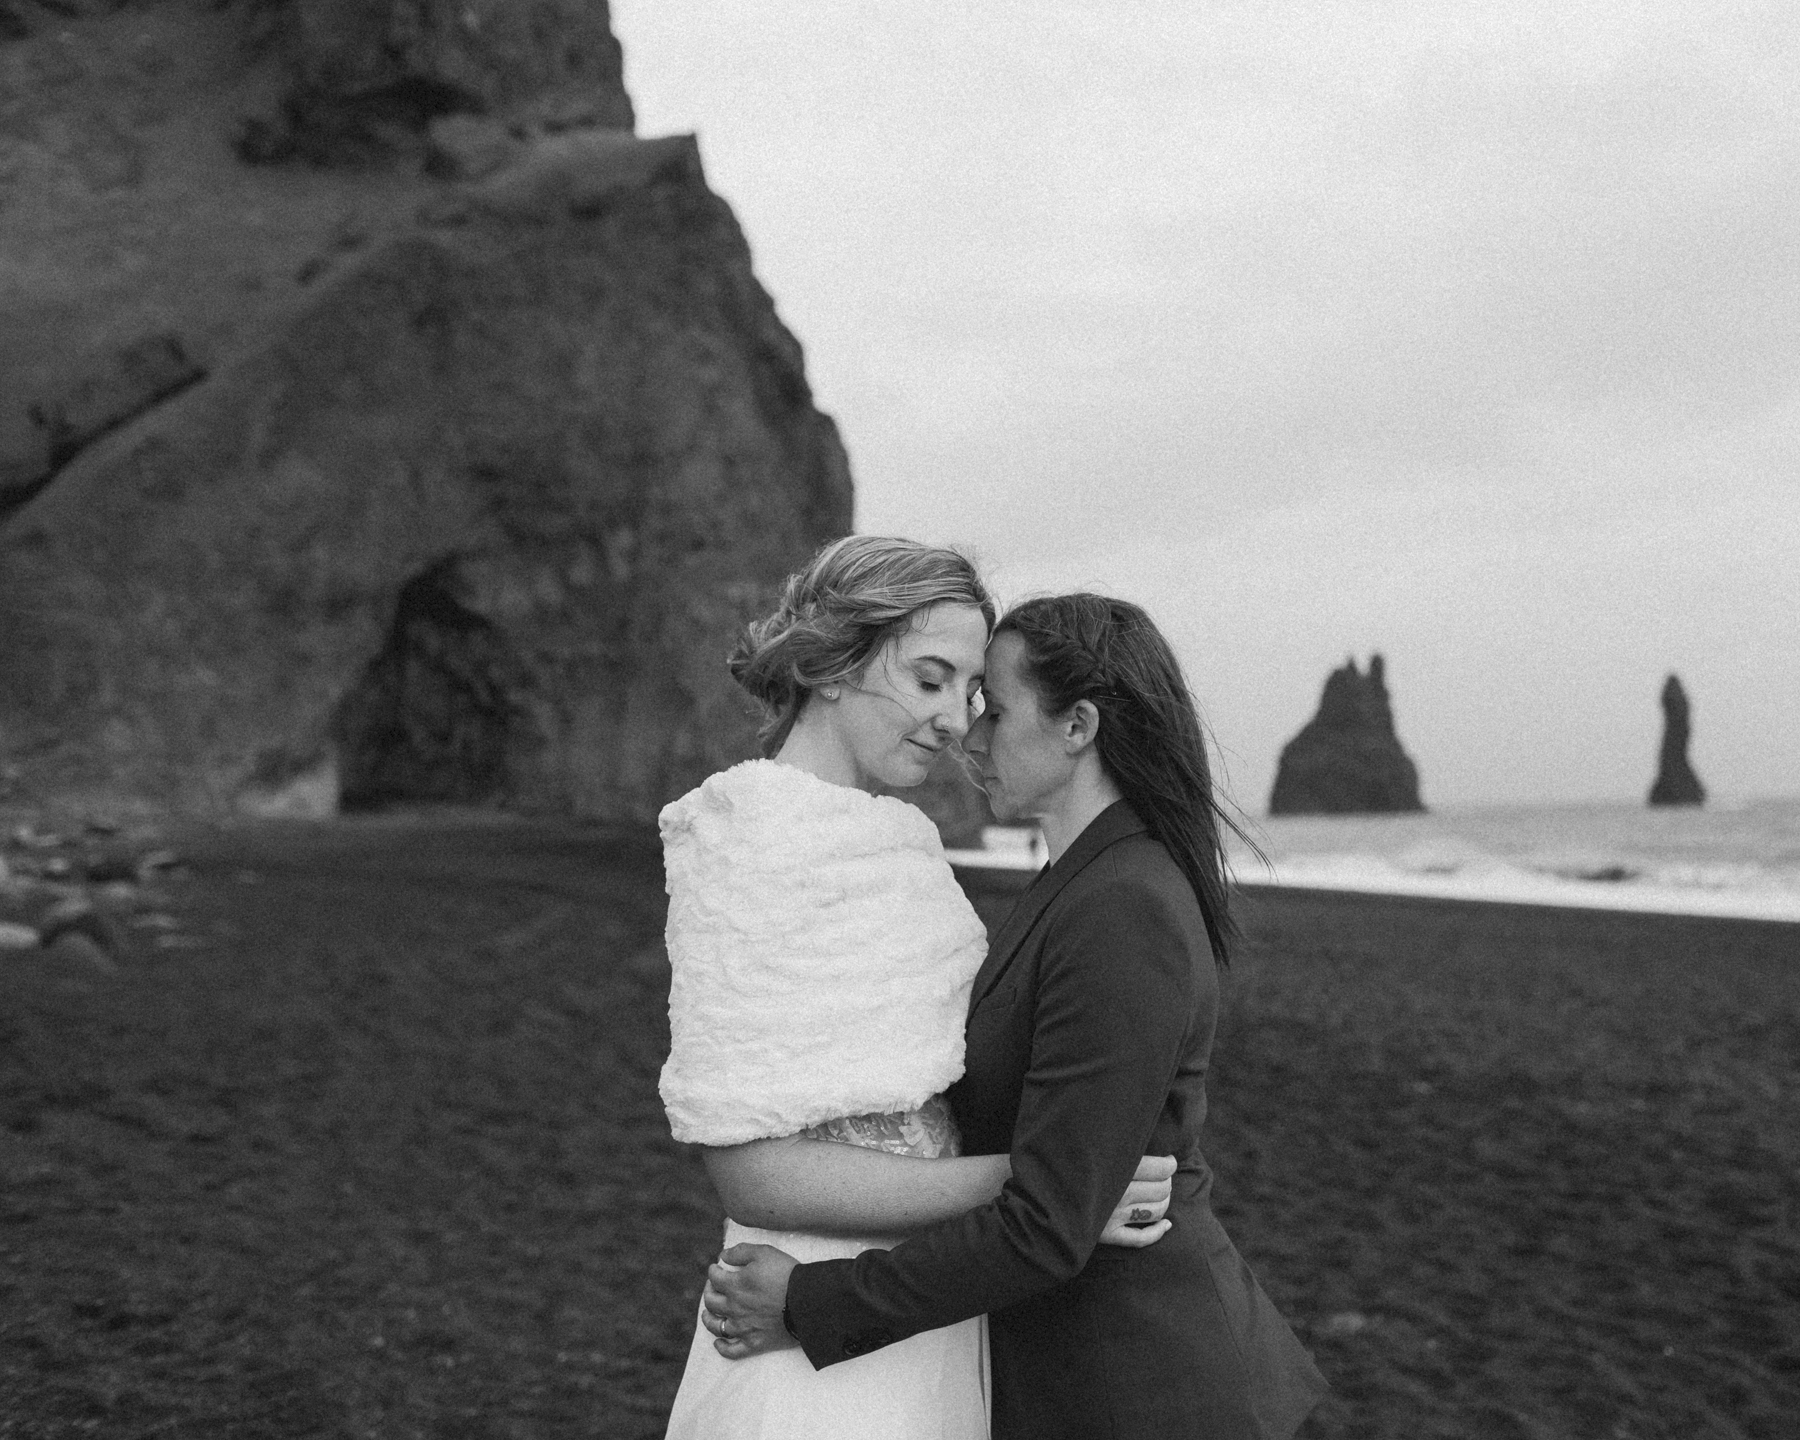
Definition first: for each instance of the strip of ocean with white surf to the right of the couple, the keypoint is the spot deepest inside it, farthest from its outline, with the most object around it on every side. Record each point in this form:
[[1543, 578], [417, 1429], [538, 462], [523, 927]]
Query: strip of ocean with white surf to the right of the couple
[[1723, 859]]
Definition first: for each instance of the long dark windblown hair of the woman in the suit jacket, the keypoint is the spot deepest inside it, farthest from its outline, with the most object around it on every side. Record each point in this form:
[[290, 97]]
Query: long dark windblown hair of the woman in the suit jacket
[[1086, 647]]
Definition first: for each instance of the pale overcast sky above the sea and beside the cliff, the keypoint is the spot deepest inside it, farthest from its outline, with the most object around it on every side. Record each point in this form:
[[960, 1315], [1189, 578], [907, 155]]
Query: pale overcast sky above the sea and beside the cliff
[[1461, 332]]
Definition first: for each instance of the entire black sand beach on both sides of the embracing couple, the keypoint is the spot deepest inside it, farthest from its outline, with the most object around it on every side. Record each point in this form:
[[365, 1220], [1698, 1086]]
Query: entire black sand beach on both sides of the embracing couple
[[377, 1151]]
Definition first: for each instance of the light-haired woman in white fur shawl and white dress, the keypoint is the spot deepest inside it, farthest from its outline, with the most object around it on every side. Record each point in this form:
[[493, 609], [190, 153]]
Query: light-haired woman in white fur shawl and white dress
[[823, 958]]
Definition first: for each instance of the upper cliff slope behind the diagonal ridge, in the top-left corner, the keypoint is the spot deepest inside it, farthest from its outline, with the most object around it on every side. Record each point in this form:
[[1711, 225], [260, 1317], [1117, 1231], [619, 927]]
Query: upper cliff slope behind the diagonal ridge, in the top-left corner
[[141, 249]]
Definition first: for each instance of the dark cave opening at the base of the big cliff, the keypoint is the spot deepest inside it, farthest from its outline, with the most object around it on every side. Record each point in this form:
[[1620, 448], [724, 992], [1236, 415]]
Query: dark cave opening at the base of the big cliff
[[433, 717]]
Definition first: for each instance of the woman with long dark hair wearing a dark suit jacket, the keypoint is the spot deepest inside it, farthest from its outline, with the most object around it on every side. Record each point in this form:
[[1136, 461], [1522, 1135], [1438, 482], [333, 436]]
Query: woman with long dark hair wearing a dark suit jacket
[[1090, 1034]]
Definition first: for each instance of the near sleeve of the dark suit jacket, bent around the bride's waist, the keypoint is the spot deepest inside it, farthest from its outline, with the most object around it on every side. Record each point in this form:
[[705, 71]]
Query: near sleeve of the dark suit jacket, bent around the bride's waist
[[1115, 1007]]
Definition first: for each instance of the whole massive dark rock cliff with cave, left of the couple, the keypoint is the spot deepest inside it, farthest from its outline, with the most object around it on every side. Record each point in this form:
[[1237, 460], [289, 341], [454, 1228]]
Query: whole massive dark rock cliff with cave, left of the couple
[[384, 422]]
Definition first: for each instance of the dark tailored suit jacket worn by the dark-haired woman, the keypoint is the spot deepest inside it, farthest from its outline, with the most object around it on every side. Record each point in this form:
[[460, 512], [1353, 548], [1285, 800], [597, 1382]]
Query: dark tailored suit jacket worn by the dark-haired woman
[[1090, 1032]]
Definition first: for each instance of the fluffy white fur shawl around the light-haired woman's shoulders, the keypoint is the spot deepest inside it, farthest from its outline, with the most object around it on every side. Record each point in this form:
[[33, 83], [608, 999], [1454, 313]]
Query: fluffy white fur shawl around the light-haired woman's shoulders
[[822, 957]]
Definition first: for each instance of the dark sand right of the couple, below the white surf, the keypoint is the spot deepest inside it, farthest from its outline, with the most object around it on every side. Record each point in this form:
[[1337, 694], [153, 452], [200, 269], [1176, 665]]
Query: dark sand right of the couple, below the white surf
[[1522, 1171]]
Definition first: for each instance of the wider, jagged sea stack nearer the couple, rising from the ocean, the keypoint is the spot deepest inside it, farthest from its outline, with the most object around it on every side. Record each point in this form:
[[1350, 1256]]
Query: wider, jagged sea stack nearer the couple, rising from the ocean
[[1349, 759]]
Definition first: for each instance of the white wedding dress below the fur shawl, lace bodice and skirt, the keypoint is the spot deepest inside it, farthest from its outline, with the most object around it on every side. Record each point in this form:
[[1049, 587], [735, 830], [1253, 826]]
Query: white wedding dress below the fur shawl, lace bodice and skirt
[[928, 1387]]
